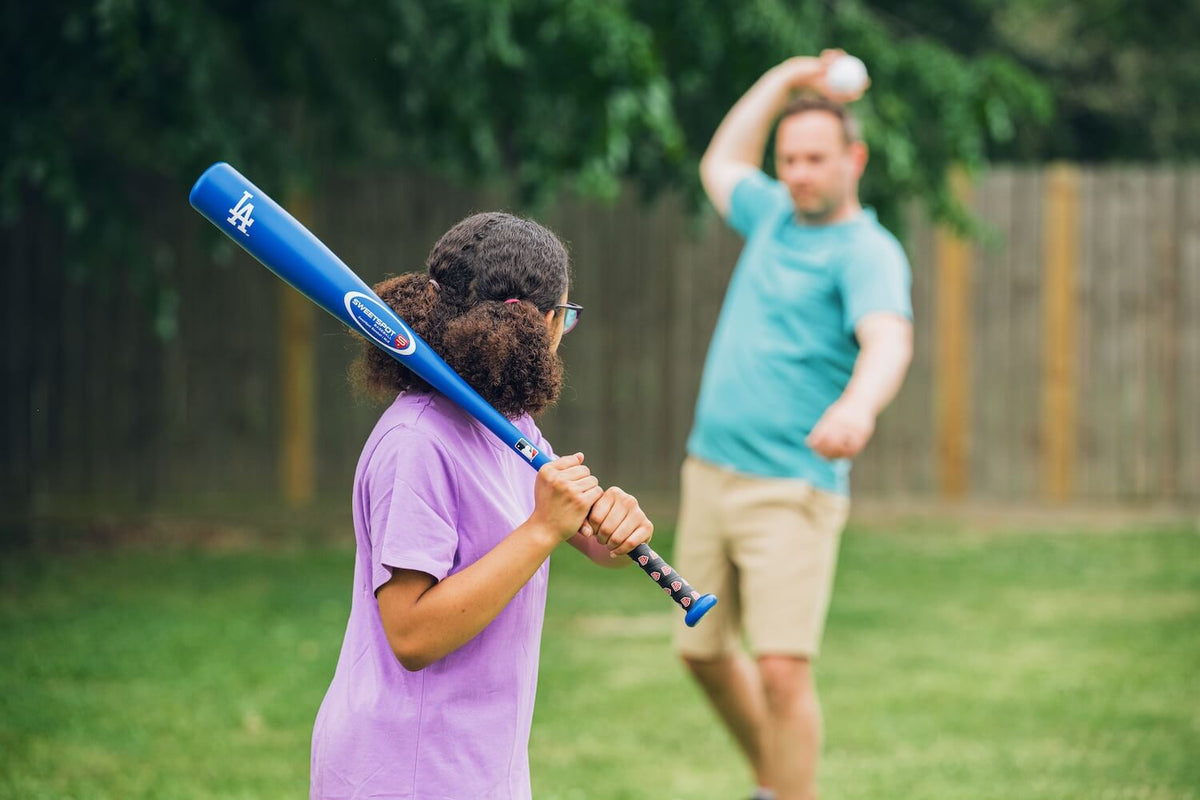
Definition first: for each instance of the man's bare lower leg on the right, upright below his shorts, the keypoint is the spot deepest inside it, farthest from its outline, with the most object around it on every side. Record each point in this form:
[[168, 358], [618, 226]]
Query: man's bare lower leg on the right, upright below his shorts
[[793, 726]]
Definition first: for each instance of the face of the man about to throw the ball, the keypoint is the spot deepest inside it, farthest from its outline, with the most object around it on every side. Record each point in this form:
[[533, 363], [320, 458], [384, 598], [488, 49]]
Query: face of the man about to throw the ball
[[814, 161]]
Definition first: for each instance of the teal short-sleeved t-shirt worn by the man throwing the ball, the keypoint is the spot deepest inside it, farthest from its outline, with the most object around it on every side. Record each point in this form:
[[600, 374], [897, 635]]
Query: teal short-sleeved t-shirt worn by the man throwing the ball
[[784, 347]]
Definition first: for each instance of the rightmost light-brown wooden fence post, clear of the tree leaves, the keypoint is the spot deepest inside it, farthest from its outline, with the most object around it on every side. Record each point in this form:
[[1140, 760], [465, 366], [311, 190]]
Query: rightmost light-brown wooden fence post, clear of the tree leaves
[[1060, 268]]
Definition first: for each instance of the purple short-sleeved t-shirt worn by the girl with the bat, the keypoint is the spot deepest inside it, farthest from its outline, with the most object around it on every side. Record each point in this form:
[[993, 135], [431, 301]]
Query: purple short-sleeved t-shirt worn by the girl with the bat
[[434, 491]]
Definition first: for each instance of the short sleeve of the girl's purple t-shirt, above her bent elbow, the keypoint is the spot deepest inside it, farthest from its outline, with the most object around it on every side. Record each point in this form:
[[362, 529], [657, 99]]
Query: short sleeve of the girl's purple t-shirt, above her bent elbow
[[413, 515]]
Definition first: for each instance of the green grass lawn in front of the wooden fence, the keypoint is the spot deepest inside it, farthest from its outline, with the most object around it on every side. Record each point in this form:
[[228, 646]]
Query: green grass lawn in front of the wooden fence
[[957, 665]]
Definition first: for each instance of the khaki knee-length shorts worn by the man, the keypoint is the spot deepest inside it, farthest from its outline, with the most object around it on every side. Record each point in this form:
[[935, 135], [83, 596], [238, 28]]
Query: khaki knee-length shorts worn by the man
[[767, 549]]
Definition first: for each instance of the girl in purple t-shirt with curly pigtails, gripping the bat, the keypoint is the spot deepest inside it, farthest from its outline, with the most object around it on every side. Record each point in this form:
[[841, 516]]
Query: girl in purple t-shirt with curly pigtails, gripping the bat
[[435, 687]]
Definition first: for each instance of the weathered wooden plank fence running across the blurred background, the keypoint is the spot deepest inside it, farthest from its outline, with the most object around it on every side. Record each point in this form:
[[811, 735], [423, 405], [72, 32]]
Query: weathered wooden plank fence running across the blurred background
[[1059, 363]]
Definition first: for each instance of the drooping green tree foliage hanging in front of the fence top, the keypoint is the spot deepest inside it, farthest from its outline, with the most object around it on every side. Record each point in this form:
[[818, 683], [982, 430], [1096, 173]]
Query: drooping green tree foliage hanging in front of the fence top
[[549, 94]]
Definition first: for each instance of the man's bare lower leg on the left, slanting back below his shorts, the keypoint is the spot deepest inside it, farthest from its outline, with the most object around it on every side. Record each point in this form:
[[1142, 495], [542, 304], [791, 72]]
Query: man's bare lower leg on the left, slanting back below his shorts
[[735, 689]]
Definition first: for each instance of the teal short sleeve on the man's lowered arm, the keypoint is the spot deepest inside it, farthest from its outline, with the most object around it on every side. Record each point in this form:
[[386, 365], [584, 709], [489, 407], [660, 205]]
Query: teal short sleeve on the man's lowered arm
[[877, 279]]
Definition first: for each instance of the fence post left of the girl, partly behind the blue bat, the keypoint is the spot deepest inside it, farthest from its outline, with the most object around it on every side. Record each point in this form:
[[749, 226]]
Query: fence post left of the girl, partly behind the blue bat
[[297, 381]]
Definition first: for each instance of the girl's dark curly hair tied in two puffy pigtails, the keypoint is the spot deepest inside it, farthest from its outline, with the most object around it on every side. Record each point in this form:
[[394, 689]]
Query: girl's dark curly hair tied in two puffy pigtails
[[459, 308]]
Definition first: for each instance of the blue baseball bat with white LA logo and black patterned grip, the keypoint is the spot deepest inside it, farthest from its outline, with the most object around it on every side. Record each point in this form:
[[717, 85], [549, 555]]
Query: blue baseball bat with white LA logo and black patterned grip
[[271, 234]]
